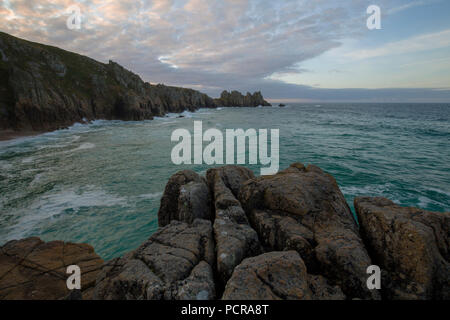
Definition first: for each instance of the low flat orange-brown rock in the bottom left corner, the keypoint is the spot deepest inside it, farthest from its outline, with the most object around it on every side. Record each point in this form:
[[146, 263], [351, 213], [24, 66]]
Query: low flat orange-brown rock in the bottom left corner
[[31, 269]]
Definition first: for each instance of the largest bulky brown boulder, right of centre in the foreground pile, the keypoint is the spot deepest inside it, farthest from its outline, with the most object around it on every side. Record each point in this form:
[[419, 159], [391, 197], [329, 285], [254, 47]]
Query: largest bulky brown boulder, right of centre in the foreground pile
[[302, 208]]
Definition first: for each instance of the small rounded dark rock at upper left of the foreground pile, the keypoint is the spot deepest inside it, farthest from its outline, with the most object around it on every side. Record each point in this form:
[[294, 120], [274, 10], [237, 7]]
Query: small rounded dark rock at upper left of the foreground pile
[[186, 198]]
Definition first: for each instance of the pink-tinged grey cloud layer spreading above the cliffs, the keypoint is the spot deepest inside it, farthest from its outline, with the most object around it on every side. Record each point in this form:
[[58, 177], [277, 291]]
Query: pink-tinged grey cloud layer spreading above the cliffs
[[205, 44]]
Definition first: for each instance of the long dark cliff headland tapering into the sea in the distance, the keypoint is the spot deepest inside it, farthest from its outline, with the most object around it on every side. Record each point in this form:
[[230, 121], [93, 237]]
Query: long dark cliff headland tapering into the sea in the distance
[[43, 88]]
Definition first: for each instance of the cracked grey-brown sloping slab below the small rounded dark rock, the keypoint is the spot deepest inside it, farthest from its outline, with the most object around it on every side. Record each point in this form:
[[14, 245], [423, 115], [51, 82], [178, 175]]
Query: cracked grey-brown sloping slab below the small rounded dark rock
[[169, 261]]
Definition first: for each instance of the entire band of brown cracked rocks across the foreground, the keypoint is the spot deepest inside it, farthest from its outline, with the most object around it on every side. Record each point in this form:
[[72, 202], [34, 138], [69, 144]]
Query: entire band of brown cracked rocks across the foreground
[[231, 235]]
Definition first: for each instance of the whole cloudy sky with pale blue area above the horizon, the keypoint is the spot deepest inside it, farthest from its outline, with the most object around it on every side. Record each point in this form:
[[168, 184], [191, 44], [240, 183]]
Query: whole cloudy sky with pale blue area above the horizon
[[291, 50]]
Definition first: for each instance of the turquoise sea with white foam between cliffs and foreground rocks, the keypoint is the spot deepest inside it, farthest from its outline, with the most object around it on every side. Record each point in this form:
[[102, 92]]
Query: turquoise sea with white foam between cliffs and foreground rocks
[[101, 183]]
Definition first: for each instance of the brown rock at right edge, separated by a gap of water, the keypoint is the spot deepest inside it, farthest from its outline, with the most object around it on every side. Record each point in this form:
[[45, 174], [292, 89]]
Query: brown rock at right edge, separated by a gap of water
[[410, 245]]
